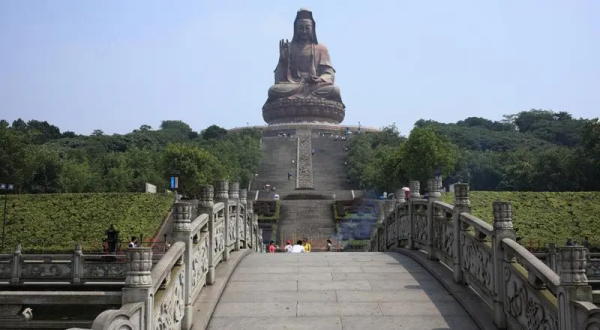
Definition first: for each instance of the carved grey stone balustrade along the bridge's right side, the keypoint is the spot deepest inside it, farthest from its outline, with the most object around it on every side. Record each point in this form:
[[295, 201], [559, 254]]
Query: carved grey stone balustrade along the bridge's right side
[[520, 290]]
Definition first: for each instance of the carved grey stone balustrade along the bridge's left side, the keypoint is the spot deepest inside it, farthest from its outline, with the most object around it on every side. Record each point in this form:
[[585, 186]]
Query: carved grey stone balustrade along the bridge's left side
[[161, 296]]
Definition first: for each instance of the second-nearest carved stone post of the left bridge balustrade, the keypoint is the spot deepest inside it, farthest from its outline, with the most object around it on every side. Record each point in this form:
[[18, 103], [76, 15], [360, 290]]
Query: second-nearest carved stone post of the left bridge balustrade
[[182, 232]]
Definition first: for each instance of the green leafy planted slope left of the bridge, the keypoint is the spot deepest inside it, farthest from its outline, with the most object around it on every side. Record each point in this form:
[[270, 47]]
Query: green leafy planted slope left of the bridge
[[54, 223]]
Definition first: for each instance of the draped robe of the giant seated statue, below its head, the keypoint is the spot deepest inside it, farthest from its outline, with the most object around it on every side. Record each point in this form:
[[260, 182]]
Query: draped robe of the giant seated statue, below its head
[[305, 61]]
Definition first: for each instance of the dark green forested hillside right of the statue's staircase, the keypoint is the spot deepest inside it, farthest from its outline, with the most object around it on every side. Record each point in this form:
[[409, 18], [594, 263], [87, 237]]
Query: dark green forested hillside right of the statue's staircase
[[534, 150]]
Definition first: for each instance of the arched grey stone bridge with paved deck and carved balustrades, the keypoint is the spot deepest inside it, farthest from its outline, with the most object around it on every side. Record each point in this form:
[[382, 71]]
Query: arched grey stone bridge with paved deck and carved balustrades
[[432, 266]]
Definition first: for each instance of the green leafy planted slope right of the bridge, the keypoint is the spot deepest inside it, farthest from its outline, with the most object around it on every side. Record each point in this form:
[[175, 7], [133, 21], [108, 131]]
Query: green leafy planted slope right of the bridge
[[544, 216]]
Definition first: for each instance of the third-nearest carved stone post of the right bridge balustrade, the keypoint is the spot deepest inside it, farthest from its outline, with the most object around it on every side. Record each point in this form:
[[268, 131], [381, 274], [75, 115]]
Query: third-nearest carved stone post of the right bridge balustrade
[[462, 204]]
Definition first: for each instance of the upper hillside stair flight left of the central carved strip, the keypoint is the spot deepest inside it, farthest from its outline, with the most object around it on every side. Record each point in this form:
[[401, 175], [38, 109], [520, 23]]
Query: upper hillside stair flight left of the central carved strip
[[276, 163]]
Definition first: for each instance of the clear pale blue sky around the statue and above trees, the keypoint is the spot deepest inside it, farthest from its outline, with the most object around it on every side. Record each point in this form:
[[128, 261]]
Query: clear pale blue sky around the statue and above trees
[[115, 65]]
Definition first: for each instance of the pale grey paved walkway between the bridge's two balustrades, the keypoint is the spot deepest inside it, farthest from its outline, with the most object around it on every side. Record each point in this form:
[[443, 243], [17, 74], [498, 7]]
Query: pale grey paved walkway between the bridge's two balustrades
[[336, 290]]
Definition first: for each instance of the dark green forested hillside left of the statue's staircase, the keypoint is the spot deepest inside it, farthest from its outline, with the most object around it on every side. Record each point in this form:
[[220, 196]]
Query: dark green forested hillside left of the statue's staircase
[[37, 157]]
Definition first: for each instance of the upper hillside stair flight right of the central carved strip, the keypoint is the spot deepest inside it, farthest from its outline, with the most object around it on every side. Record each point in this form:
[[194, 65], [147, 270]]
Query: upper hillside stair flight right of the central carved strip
[[329, 171]]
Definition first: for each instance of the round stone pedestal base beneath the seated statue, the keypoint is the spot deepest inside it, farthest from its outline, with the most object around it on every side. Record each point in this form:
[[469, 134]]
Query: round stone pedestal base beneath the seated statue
[[303, 111]]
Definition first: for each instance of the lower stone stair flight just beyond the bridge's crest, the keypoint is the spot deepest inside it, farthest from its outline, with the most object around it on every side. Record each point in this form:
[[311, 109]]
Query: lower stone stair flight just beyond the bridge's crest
[[307, 218]]
